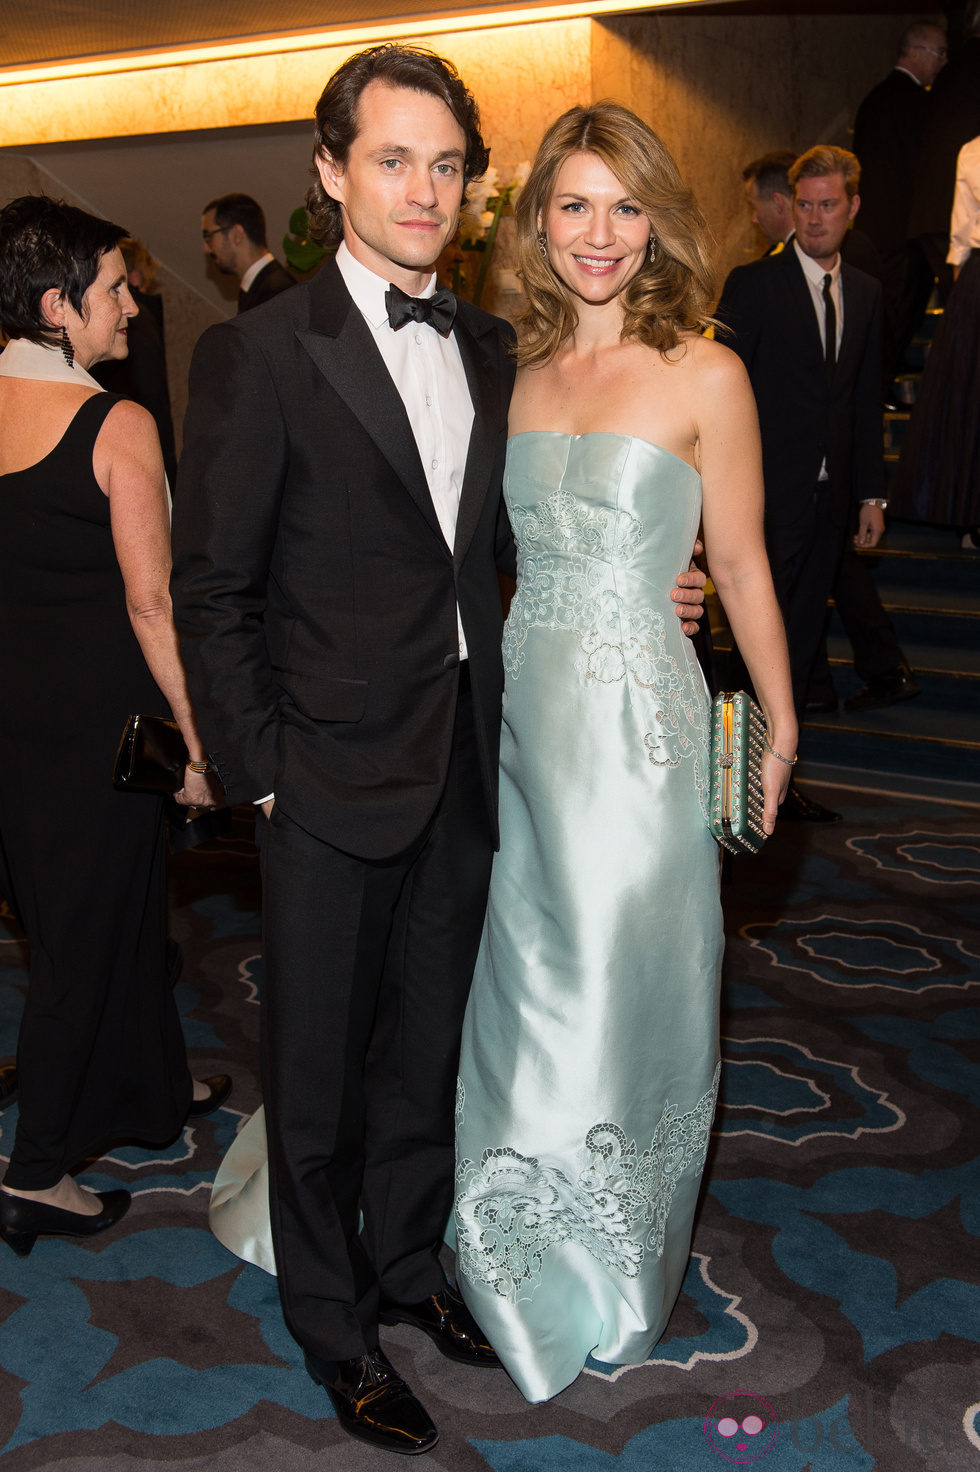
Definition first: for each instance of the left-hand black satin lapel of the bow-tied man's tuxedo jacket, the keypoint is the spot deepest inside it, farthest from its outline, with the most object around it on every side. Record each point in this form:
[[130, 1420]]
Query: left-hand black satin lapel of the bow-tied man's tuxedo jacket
[[341, 344]]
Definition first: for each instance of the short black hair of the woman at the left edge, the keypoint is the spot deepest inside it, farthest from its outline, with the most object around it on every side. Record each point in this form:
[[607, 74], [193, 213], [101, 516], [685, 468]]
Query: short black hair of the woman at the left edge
[[45, 245]]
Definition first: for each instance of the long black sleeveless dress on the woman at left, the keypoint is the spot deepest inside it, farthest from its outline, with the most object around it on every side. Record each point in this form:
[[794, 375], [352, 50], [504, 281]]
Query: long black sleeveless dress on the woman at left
[[101, 1053]]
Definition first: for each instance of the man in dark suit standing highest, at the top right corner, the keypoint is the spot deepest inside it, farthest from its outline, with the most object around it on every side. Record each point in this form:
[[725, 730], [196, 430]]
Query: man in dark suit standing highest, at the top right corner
[[888, 135]]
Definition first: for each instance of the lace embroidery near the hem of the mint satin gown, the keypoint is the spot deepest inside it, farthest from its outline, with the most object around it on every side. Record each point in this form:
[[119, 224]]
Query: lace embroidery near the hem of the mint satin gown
[[511, 1209]]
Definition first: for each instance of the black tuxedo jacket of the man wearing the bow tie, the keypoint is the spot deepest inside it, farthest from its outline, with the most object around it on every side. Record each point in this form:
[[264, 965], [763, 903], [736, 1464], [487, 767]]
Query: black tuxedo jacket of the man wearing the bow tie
[[314, 592]]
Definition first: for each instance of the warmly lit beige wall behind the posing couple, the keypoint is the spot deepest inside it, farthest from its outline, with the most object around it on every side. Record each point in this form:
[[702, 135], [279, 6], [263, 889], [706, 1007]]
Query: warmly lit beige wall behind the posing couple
[[720, 89]]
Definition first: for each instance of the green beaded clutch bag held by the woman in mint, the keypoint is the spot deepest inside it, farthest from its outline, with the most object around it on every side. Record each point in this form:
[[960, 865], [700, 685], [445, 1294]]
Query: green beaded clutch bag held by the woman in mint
[[738, 735]]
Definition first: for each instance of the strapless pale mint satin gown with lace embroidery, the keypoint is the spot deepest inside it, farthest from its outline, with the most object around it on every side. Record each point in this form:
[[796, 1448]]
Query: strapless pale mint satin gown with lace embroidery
[[589, 1064]]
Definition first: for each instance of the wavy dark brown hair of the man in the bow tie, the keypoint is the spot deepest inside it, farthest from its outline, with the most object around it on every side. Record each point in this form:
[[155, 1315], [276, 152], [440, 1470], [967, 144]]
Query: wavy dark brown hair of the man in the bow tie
[[410, 67]]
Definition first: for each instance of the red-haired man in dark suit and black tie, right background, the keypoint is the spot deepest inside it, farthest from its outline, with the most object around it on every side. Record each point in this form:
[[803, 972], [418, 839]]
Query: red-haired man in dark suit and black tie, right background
[[809, 330]]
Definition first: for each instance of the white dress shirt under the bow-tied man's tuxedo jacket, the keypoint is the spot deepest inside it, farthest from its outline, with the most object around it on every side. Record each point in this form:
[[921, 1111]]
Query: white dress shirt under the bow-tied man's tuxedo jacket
[[429, 376]]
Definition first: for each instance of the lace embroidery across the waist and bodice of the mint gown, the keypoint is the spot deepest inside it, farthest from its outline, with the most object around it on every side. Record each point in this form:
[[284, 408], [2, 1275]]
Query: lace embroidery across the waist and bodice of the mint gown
[[573, 588]]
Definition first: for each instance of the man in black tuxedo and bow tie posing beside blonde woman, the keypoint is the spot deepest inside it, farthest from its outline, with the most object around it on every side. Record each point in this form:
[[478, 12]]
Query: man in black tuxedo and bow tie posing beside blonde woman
[[338, 541]]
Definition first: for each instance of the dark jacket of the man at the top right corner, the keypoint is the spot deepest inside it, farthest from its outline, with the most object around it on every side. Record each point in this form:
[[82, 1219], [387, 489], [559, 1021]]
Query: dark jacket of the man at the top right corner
[[887, 138]]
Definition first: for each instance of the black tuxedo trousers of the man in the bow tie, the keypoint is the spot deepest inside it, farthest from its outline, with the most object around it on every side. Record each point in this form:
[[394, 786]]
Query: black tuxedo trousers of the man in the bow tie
[[367, 972]]
